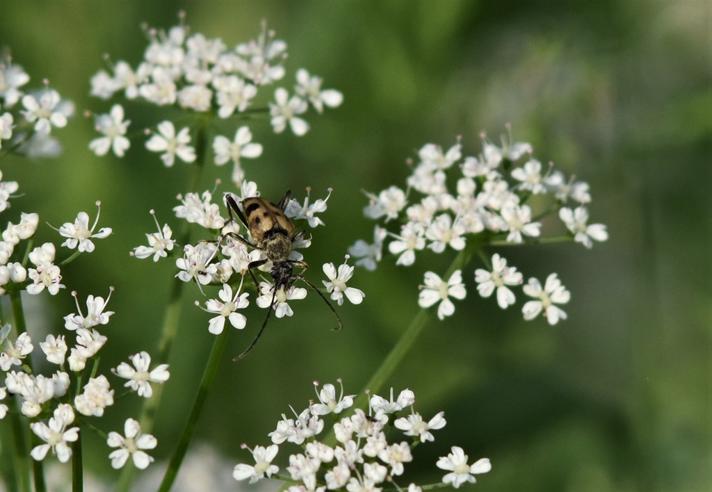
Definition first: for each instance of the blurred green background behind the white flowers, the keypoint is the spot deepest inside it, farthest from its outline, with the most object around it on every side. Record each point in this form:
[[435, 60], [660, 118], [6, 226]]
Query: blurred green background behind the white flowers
[[618, 92]]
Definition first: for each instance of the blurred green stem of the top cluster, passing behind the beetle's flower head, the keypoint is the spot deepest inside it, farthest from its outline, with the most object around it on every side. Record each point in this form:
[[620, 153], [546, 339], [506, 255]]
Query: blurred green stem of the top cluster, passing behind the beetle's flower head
[[171, 315]]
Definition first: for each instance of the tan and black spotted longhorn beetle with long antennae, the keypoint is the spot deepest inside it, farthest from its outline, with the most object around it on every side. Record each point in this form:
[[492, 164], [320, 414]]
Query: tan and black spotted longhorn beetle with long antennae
[[274, 234]]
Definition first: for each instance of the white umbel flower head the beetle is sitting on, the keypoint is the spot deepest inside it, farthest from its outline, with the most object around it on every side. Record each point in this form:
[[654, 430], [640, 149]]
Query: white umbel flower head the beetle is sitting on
[[231, 265]]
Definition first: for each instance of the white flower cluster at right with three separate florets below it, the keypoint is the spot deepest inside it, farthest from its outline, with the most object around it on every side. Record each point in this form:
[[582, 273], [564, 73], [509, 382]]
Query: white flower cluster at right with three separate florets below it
[[500, 197]]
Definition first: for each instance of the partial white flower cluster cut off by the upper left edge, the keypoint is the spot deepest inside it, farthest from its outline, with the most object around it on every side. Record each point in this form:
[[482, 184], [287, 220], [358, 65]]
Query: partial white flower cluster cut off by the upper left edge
[[27, 117]]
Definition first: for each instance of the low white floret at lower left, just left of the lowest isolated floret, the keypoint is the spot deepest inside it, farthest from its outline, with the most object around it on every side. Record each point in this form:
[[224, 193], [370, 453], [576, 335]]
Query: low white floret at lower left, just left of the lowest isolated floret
[[55, 434]]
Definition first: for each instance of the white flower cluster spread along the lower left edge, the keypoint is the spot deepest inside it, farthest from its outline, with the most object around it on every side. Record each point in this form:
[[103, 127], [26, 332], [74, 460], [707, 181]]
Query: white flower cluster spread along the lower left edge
[[57, 403]]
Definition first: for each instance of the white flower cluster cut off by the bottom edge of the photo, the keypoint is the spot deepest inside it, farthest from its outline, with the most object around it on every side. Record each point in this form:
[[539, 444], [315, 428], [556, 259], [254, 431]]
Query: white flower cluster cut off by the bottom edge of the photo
[[368, 449]]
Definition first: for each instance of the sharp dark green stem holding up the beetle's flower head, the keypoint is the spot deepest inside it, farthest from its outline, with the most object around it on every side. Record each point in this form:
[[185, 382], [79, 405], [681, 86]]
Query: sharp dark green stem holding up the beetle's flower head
[[211, 370]]
